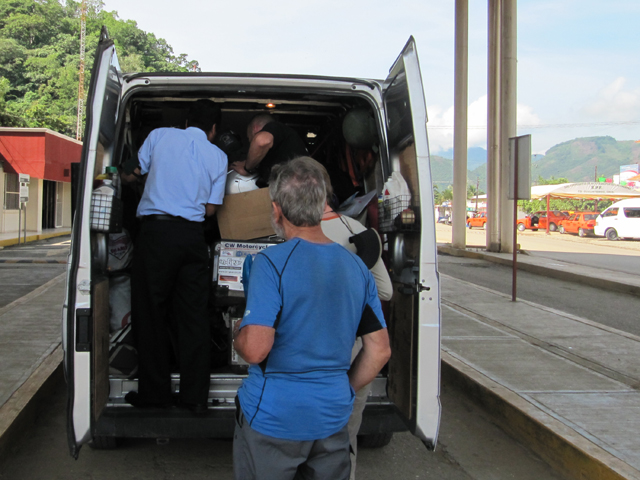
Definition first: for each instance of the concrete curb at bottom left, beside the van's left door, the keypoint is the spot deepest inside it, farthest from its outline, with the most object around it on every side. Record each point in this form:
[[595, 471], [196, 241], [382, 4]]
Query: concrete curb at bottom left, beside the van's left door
[[22, 408]]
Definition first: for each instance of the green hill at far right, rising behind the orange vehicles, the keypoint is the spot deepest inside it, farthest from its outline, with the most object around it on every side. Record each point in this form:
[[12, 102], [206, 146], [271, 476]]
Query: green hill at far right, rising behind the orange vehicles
[[576, 160]]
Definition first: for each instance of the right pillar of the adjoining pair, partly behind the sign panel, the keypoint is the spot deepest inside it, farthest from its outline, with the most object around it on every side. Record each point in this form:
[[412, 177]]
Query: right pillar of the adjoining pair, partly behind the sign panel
[[508, 116]]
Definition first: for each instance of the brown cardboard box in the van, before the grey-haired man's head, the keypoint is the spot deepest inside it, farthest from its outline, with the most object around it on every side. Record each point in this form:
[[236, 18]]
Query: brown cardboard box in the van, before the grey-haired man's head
[[245, 216]]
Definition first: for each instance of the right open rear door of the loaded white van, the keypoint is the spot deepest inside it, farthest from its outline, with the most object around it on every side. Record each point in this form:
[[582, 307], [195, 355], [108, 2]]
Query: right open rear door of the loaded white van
[[414, 327]]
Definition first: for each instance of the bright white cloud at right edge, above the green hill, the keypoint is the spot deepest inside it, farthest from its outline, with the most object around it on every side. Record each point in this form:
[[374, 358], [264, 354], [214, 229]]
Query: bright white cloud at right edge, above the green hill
[[614, 103]]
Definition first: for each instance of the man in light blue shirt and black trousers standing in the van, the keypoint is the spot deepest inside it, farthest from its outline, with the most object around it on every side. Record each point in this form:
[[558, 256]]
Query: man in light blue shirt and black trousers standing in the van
[[186, 177]]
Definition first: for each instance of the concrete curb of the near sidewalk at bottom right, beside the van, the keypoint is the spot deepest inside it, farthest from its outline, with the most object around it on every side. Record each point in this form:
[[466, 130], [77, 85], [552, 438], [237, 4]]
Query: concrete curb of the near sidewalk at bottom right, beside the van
[[568, 452]]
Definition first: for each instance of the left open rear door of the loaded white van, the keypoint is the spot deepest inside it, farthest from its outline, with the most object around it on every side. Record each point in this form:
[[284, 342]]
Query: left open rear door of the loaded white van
[[85, 322]]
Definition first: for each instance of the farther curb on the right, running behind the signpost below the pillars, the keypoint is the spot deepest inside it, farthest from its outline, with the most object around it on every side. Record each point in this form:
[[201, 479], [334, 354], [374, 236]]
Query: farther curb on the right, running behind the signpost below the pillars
[[598, 282]]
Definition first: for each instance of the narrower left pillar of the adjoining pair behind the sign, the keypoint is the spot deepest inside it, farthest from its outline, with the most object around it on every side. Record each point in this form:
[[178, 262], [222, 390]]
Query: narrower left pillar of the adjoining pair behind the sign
[[493, 127]]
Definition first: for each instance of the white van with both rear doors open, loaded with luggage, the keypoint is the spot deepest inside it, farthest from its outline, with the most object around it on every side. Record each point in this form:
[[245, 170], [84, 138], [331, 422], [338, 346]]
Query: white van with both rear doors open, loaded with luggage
[[122, 110]]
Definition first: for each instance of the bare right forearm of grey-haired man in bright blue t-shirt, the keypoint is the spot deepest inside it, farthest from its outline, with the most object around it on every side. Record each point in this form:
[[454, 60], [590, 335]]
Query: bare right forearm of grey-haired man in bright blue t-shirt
[[374, 355]]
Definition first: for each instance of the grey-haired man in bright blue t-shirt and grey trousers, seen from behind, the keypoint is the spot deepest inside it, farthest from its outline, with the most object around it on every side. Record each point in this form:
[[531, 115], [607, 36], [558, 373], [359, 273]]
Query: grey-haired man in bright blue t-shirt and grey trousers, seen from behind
[[307, 301]]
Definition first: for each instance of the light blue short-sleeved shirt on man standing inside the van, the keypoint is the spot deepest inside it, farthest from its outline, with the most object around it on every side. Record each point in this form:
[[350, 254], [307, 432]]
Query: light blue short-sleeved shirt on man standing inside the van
[[186, 171]]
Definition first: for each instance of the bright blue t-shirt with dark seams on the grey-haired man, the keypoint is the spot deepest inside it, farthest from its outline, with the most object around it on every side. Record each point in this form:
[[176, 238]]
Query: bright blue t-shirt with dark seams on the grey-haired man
[[315, 296]]
